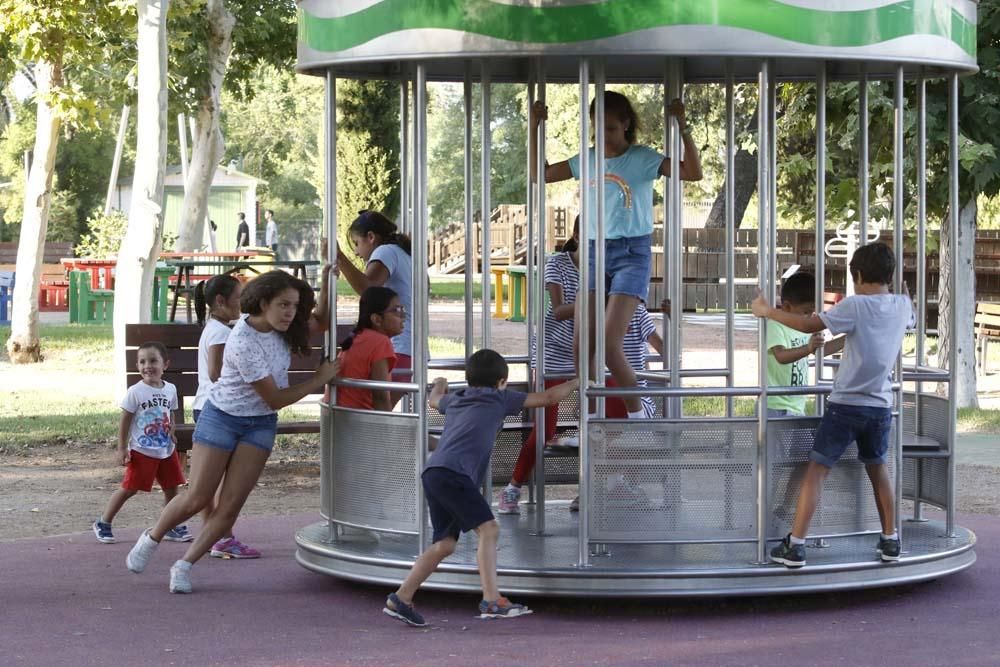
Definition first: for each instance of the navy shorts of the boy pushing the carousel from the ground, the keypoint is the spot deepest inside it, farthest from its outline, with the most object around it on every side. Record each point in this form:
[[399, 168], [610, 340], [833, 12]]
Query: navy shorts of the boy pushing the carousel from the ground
[[455, 503]]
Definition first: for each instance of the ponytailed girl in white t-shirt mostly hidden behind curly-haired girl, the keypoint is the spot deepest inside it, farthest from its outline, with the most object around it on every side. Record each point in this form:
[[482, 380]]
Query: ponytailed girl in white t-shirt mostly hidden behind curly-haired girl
[[219, 299]]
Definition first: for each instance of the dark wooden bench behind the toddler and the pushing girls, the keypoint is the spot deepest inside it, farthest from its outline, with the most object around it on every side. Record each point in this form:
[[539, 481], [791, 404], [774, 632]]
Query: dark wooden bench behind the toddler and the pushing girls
[[181, 341]]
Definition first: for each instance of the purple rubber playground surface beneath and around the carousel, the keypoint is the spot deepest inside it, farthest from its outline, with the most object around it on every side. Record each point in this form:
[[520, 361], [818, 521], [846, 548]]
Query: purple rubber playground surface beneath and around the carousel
[[70, 601]]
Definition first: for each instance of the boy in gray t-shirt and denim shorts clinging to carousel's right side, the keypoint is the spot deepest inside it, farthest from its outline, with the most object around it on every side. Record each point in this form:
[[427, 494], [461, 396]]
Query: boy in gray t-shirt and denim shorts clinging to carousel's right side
[[860, 406]]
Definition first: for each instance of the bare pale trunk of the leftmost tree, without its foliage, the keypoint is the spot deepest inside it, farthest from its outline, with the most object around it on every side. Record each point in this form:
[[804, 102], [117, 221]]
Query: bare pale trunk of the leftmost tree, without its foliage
[[23, 346]]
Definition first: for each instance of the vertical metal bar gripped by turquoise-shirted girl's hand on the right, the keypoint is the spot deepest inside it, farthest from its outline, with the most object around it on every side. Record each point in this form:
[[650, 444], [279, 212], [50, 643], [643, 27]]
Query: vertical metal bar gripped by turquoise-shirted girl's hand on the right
[[675, 240]]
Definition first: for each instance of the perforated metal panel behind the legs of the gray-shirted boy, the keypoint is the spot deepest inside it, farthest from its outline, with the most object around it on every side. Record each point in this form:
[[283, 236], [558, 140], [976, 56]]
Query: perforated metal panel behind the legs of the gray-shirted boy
[[847, 504]]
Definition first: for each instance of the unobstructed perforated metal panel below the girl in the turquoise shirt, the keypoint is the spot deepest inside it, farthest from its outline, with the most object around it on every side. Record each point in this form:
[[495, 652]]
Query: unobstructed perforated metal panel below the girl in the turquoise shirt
[[655, 480]]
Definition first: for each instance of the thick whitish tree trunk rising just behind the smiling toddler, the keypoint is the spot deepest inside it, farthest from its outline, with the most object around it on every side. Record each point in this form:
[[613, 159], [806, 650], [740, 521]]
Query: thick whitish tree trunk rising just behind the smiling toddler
[[140, 248]]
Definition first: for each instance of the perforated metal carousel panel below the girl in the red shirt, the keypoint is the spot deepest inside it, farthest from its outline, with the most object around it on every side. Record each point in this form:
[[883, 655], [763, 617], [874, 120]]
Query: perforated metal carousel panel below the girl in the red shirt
[[372, 468]]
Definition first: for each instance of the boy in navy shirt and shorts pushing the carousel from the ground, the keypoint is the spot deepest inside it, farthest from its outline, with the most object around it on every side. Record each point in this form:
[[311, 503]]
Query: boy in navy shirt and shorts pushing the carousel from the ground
[[455, 471]]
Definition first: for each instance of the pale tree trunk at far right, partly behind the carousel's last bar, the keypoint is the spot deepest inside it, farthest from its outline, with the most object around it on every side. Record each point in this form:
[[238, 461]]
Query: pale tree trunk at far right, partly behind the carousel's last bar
[[964, 377]]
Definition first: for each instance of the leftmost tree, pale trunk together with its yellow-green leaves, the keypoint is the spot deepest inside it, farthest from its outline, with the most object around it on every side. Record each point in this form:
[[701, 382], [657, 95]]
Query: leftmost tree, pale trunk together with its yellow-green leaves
[[58, 37]]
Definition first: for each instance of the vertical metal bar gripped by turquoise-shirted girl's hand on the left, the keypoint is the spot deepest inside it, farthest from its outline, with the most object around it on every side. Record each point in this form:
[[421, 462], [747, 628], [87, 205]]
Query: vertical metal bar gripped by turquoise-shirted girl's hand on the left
[[540, 309]]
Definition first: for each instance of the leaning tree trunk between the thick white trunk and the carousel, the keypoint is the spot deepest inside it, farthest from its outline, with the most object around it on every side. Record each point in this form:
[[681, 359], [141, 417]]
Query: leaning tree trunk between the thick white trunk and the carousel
[[208, 142]]
